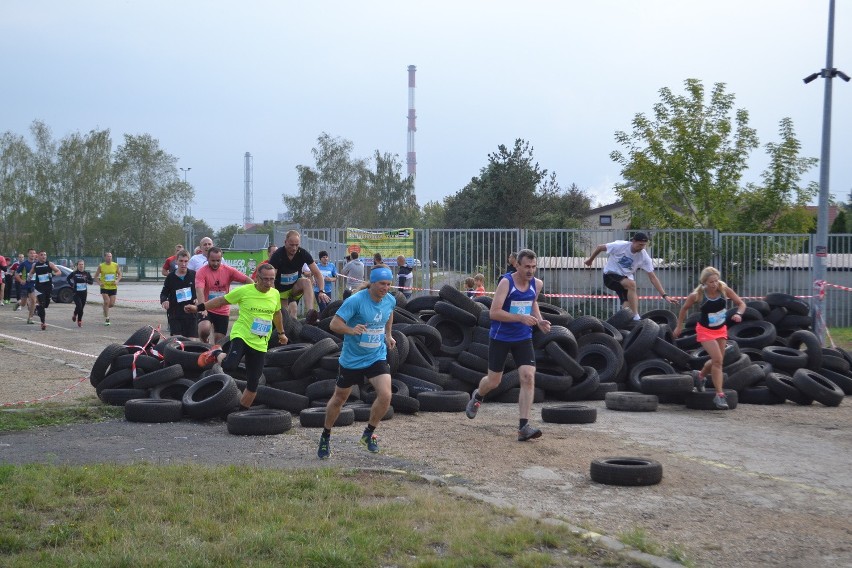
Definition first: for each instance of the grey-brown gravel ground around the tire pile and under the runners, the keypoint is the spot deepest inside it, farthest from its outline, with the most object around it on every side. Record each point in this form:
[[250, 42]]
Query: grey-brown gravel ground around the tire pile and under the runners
[[755, 486]]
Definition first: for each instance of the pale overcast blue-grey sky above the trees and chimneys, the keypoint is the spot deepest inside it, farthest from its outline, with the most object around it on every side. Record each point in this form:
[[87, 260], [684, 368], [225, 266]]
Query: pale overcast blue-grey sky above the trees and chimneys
[[214, 79]]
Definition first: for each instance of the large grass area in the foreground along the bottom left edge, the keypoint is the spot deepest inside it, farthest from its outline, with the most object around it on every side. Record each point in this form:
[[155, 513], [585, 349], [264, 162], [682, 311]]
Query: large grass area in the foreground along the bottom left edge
[[191, 515]]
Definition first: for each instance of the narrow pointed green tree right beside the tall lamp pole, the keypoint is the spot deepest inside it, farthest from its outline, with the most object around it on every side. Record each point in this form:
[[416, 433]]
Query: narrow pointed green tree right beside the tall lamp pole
[[779, 203]]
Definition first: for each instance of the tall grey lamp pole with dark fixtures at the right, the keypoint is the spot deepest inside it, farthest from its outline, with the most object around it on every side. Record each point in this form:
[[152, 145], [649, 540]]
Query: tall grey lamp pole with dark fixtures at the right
[[821, 245]]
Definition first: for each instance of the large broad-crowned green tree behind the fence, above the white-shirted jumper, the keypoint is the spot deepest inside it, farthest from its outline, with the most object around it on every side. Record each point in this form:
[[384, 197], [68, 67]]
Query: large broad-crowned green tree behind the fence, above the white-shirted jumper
[[682, 167]]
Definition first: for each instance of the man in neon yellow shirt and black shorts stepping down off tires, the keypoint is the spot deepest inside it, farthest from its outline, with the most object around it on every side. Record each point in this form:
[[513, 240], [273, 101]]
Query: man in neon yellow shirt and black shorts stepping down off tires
[[260, 311]]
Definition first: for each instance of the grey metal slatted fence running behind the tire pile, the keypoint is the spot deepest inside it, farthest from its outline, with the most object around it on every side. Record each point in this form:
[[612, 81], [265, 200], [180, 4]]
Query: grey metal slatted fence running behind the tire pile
[[752, 264]]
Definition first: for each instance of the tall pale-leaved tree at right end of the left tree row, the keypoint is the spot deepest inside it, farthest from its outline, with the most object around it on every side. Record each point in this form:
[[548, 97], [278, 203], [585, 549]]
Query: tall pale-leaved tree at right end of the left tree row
[[148, 193]]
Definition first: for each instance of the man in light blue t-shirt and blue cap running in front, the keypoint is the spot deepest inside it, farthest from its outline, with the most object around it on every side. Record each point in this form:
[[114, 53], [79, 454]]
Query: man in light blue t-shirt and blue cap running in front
[[364, 319]]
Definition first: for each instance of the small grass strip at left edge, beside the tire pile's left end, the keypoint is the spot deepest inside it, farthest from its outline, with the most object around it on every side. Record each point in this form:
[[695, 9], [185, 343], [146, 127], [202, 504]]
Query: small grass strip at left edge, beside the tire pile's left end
[[25, 417]]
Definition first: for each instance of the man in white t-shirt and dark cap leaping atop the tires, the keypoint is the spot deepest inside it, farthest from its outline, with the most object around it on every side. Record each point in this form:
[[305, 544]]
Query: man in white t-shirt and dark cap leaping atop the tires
[[625, 258]]
